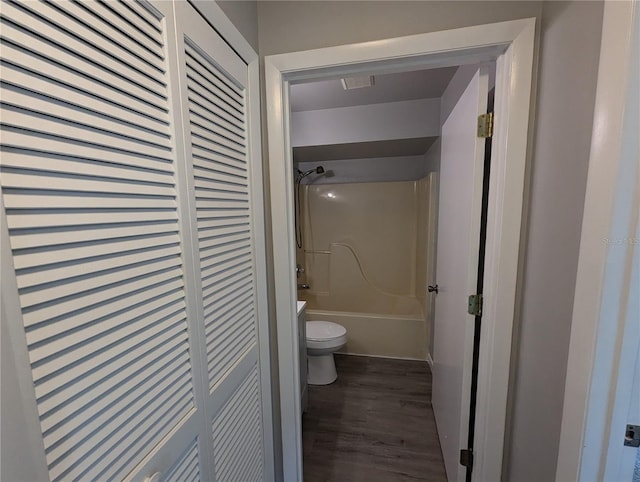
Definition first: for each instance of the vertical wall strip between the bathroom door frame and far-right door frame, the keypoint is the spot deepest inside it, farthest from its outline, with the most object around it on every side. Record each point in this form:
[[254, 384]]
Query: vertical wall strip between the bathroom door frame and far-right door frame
[[568, 69]]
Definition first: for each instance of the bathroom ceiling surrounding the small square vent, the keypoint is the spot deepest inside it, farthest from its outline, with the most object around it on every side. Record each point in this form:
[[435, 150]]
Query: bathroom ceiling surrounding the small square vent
[[327, 94]]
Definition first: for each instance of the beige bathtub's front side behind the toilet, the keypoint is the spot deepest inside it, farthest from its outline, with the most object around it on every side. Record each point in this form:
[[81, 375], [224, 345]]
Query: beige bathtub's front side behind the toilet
[[379, 335]]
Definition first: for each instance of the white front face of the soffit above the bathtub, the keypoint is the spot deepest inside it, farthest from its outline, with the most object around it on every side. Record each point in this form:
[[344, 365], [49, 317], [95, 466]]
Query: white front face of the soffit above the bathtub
[[366, 123]]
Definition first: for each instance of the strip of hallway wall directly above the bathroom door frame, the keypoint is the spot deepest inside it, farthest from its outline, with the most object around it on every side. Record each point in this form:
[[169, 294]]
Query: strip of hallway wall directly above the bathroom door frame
[[286, 26]]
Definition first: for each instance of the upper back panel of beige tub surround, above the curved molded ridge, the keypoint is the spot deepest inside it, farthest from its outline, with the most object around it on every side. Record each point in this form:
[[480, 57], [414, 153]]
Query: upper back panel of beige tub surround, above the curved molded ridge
[[376, 219]]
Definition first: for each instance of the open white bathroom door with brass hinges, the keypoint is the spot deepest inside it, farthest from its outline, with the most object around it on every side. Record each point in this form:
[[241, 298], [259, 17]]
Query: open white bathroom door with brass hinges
[[459, 211]]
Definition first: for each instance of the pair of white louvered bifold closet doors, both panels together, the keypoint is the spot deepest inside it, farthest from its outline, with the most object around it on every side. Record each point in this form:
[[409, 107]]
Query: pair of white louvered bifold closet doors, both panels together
[[129, 283]]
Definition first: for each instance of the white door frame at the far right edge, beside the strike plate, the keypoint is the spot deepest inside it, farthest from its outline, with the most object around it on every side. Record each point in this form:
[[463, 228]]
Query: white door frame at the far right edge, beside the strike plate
[[602, 337]]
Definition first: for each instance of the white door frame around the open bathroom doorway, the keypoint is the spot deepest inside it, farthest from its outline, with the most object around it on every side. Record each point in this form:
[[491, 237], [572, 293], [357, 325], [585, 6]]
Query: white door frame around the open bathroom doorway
[[511, 45]]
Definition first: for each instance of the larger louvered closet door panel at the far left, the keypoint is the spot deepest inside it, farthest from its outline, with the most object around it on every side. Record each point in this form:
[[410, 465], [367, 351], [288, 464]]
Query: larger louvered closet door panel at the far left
[[104, 278]]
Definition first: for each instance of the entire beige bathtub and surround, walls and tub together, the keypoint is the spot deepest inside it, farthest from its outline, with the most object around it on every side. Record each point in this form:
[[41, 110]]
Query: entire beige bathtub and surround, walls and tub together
[[365, 263]]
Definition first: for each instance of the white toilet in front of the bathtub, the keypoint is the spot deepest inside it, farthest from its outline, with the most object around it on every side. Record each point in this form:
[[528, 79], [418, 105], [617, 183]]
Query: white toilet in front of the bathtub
[[323, 339]]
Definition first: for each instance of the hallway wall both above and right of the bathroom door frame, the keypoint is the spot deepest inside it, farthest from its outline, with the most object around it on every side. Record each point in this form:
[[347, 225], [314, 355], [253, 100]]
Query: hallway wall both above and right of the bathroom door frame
[[570, 36]]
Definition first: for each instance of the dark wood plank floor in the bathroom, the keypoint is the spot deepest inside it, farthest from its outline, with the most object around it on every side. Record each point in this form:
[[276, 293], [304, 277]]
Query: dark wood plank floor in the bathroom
[[375, 423]]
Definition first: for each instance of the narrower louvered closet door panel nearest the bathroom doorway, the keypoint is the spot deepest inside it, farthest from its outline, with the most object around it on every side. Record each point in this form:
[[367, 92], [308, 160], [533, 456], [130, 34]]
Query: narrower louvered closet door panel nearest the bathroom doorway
[[214, 96]]
